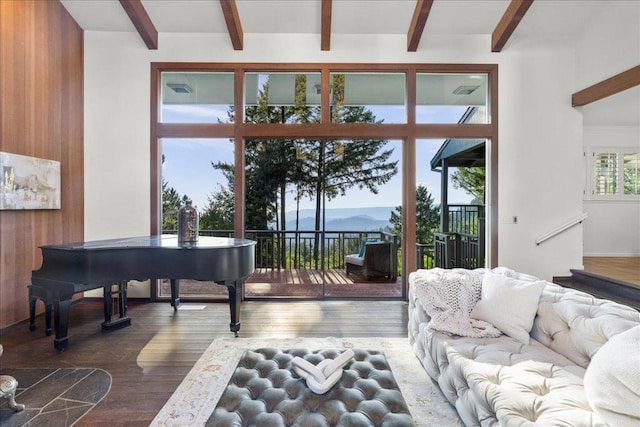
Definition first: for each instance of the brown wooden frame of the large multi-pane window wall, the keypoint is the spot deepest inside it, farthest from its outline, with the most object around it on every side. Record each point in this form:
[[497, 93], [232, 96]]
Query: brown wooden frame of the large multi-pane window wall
[[407, 132]]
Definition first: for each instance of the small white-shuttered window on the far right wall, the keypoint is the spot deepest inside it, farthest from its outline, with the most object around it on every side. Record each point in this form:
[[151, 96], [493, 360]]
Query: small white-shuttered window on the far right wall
[[614, 174]]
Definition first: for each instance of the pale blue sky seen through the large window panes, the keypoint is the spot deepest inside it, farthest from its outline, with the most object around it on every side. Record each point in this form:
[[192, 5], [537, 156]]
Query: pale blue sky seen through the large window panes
[[187, 166]]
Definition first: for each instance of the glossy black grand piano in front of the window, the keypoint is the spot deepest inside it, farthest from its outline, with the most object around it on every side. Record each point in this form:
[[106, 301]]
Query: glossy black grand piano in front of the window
[[77, 267]]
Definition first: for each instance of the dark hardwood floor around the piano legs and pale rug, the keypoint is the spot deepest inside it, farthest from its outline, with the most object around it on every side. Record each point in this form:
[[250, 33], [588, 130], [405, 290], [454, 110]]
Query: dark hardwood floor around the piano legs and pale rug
[[149, 359]]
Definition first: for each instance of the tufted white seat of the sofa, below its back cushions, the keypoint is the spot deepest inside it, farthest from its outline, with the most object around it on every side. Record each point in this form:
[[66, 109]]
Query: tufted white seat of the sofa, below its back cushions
[[500, 380]]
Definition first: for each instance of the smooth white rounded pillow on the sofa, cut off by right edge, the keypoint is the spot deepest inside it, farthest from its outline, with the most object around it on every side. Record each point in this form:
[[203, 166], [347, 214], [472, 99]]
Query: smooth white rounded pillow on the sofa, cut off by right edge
[[612, 380]]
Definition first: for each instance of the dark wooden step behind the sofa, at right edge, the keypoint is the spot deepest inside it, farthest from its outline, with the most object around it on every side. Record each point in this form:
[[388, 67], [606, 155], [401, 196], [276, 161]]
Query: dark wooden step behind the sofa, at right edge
[[602, 287]]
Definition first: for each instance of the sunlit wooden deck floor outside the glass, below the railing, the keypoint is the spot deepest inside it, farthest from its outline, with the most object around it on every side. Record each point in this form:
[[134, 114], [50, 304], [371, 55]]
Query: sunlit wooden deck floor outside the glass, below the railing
[[295, 283]]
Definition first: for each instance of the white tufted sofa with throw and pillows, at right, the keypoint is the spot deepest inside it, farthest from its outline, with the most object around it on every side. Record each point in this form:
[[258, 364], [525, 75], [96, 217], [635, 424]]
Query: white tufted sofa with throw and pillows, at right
[[579, 367]]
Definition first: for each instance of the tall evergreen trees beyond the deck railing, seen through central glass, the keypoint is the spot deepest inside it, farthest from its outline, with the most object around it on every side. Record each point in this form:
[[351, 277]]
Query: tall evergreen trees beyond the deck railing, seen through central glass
[[316, 169]]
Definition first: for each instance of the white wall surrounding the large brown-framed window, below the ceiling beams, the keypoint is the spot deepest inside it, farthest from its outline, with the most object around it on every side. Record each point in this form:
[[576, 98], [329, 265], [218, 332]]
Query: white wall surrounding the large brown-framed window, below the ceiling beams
[[540, 178]]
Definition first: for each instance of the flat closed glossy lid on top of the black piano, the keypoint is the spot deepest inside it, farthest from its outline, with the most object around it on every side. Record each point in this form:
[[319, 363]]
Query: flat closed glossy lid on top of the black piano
[[157, 241]]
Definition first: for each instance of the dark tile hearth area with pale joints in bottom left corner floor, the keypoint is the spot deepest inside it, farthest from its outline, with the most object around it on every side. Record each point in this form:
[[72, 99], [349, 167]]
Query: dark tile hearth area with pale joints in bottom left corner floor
[[54, 396]]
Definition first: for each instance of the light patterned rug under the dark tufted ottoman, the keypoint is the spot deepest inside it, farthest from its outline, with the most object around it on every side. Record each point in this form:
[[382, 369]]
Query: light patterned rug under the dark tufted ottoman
[[197, 396]]
